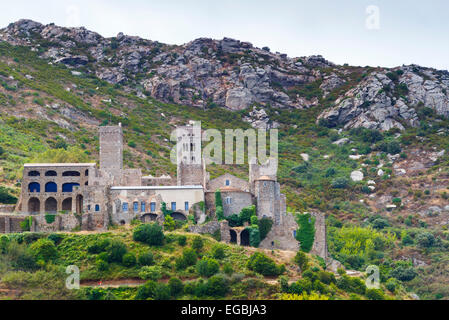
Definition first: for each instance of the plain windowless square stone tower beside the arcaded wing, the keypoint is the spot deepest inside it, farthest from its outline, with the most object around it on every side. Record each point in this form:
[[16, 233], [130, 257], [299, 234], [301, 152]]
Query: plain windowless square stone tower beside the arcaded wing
[[111, 148]]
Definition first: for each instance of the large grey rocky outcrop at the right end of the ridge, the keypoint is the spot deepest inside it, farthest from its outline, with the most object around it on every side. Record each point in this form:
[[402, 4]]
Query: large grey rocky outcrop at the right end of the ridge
[[390, 99]]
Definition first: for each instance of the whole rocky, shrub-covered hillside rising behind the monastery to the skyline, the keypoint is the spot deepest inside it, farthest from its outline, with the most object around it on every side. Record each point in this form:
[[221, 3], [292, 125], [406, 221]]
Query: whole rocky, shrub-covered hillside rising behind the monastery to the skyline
[[366, 146]]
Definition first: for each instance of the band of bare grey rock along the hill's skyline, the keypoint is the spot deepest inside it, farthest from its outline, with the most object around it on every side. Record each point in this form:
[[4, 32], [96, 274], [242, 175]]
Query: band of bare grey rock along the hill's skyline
[[206, 73]]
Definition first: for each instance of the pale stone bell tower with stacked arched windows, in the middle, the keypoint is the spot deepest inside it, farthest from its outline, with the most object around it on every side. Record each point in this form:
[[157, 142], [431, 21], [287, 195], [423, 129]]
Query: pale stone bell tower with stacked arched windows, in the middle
[[191, 167]]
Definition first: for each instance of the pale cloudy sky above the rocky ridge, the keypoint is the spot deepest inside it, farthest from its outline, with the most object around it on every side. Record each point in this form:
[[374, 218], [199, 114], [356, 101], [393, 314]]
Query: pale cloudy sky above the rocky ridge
[[358, 32]]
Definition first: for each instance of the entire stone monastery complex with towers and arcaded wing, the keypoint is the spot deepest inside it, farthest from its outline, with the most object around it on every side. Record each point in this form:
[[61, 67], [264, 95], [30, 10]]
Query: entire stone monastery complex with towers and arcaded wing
[[87, 197]]
